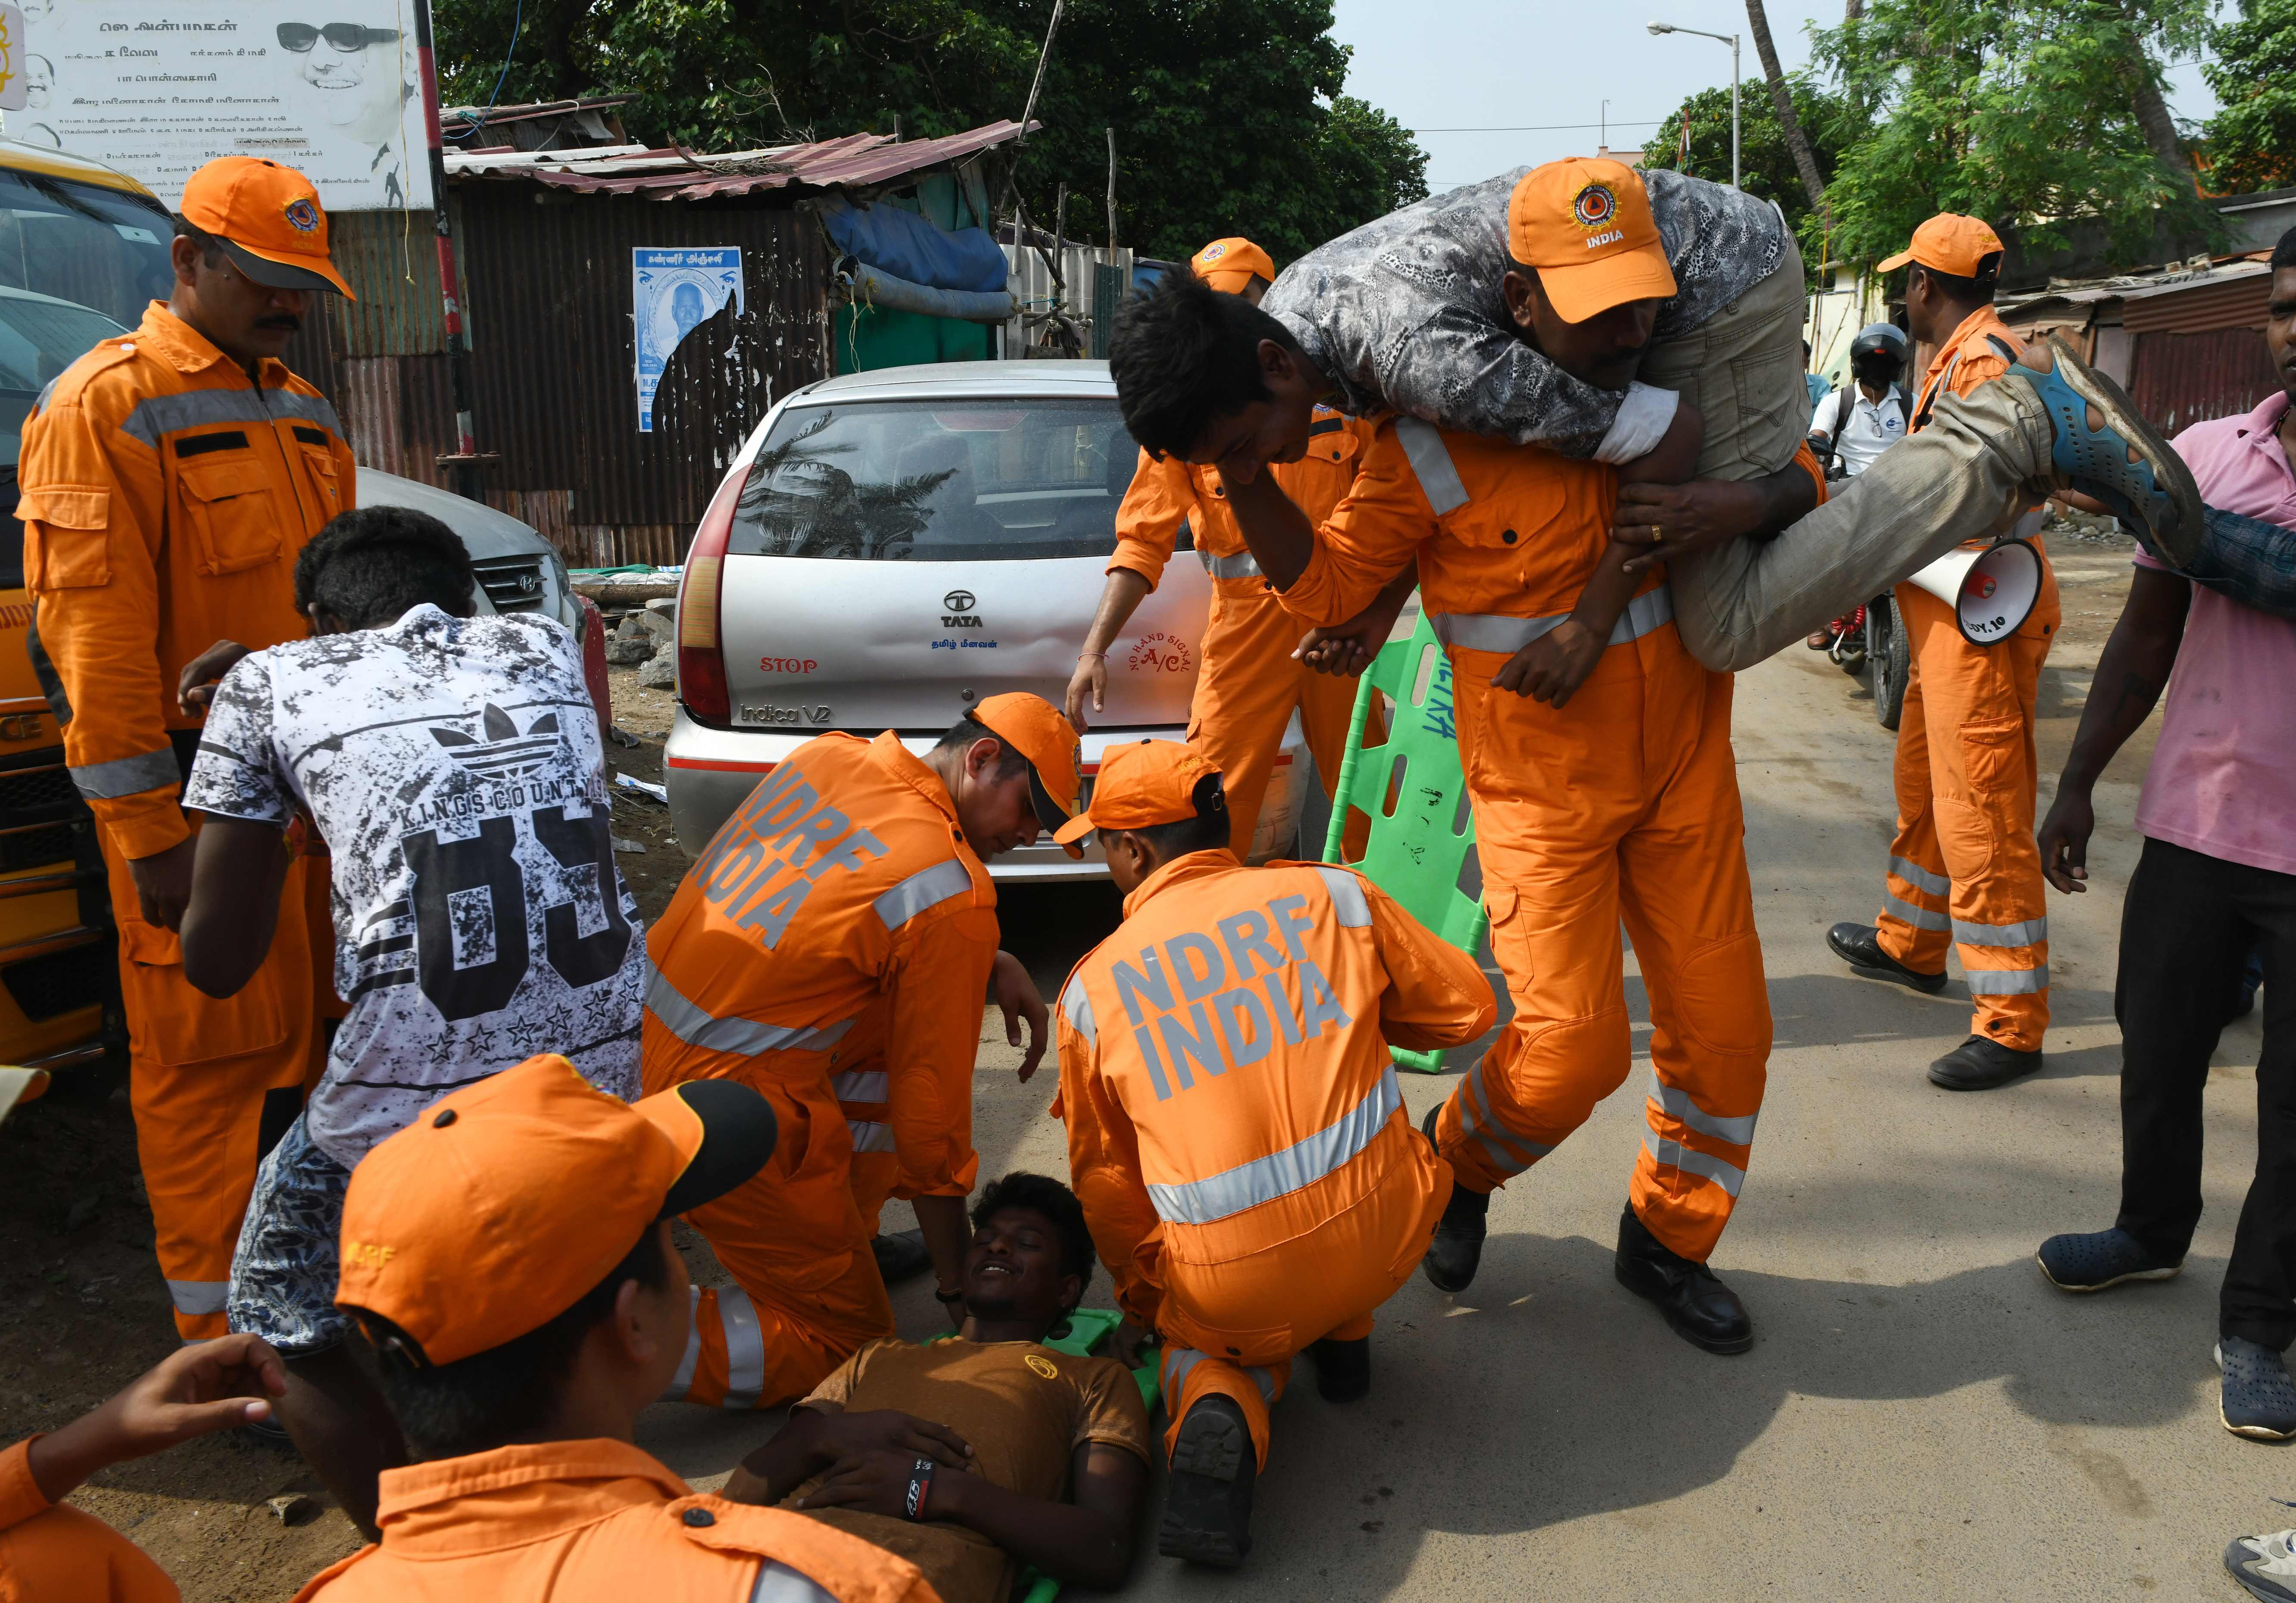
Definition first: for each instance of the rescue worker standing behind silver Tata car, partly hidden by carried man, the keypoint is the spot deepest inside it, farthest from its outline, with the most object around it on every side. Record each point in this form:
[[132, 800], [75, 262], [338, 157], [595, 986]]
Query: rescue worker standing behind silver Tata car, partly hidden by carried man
[[1248, 679]]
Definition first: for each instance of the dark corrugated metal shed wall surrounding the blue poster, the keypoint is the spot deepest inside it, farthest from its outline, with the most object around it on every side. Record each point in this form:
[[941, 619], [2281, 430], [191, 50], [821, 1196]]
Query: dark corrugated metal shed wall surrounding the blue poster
[[554, 353]]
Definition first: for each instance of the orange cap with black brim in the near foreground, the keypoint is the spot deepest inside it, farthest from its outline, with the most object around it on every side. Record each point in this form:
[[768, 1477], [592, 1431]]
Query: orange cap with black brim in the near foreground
[[509, 1202]]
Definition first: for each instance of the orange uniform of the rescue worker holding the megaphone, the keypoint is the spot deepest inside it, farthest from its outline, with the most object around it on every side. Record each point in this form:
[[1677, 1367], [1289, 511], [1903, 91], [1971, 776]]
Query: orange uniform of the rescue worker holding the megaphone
[[1967, 869]]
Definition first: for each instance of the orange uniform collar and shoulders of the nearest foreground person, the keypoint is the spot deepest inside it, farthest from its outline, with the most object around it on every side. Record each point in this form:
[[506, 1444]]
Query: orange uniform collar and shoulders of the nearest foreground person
[[598, 1521]]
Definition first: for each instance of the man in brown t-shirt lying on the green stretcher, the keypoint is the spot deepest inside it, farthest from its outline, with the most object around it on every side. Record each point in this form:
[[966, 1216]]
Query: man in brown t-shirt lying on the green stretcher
[[986, 1453]]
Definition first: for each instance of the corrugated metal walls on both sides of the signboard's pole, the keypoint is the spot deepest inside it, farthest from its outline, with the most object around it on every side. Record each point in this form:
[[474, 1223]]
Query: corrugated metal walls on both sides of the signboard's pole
[[548, 302]]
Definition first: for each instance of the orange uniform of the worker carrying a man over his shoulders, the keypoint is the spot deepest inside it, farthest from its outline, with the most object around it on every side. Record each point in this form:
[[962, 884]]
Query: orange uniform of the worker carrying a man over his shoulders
[[1622, 805]]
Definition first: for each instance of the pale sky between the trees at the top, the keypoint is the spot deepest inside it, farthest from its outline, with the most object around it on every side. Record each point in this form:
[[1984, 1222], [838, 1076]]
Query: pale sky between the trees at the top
[[1595, 52]]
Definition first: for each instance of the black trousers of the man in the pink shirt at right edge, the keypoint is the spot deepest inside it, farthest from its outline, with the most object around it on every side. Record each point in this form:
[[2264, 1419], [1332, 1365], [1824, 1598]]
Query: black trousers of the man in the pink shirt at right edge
[[2187, 931]]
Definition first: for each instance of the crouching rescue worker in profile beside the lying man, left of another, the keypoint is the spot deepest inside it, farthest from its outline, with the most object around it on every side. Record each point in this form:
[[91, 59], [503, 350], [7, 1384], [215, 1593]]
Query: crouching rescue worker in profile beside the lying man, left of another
[[832, 947]]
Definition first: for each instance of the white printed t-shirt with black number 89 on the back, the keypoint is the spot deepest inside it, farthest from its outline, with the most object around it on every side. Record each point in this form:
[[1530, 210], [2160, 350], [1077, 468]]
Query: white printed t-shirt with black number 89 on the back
[[456, 773]]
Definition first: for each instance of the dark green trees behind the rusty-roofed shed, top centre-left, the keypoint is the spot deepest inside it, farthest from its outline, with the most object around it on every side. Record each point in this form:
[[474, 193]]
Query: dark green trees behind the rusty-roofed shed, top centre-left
[[1230, 114]]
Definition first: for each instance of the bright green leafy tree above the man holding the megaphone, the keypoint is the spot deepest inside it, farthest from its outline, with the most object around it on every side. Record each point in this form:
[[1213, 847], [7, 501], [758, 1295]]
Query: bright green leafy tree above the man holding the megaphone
[[2029, 114]]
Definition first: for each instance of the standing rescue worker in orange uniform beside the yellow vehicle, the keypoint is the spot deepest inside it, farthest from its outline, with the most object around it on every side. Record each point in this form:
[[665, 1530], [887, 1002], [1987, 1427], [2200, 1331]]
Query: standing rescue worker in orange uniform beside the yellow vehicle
[[169, 481]]
